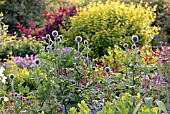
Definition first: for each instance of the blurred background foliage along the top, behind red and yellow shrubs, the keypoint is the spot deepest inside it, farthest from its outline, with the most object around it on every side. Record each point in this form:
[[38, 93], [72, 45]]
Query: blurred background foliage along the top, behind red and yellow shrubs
[[24, 10]]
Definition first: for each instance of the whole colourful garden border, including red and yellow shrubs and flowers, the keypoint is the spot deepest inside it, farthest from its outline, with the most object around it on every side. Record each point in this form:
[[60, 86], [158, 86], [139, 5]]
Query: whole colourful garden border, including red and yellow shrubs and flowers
[[95, 59]]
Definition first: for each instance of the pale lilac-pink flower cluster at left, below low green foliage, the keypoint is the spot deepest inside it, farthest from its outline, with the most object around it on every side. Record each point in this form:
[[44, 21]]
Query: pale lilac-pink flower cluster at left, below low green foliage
[[26, 62]]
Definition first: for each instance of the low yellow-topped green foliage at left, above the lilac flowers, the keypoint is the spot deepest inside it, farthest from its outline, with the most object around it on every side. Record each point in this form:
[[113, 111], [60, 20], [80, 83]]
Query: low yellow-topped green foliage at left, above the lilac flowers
[[13, 46]]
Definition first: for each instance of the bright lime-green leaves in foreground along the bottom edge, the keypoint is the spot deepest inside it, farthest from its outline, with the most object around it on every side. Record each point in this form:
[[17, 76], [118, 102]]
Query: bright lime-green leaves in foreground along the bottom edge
[[126, 105]]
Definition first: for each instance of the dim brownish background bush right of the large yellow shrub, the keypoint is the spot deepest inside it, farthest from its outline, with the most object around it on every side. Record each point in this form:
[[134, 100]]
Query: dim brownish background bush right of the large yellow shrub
[[162, 19]]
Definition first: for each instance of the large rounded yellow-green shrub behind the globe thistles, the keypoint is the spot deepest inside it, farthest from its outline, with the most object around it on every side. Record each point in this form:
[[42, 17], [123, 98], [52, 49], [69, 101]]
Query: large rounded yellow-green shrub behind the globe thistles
[[113, 22]]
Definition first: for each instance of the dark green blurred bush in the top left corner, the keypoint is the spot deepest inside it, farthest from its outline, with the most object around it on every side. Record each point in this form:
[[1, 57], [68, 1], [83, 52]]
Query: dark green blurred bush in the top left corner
[[22, 11]]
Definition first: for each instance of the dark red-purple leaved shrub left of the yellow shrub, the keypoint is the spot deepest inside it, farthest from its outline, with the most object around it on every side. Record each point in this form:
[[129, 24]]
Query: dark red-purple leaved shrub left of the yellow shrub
[[54, 20]]
